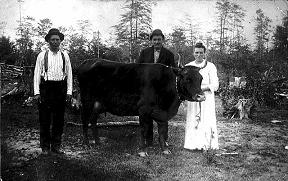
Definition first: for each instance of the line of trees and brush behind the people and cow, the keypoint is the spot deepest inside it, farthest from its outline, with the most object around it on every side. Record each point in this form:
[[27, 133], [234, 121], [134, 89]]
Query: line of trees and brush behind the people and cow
[[227, 46]]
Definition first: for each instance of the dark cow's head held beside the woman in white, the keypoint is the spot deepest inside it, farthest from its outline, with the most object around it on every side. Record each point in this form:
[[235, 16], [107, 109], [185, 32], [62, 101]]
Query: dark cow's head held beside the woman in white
[[189, 83]]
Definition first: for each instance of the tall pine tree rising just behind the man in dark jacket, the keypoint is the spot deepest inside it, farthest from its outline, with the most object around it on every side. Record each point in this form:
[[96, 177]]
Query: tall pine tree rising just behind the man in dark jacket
[[134, 26]]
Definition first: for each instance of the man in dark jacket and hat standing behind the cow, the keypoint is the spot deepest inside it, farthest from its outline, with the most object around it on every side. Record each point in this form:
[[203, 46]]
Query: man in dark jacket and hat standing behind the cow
[[156, 54]]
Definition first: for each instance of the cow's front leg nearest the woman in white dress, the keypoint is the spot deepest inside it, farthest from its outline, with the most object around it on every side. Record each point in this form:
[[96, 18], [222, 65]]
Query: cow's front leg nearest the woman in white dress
[[163, 133]]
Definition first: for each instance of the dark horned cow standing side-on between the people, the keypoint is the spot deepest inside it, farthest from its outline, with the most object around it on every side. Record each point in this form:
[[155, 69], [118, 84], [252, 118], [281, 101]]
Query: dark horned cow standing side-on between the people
[[145, 90]]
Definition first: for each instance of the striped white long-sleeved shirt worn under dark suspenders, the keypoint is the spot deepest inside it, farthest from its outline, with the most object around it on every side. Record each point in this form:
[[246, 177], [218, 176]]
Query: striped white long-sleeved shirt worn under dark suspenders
[[55, 70]]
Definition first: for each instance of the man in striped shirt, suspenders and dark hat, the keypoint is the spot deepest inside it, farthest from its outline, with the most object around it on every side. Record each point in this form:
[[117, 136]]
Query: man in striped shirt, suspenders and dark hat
[[52, 88]]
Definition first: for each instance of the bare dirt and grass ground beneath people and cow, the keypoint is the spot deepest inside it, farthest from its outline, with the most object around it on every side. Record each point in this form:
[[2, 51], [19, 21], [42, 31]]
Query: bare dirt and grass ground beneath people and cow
[[249, 150]]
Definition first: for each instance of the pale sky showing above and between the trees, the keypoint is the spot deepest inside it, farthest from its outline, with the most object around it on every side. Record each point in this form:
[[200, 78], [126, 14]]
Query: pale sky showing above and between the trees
[[103, 14]]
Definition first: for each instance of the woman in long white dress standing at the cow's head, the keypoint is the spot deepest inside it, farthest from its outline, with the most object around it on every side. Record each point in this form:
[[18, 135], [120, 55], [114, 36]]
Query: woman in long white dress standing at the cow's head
[[201, 128]]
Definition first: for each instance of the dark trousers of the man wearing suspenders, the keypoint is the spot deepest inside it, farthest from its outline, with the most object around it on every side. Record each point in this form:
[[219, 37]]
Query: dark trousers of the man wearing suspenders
[[51, 113]]
